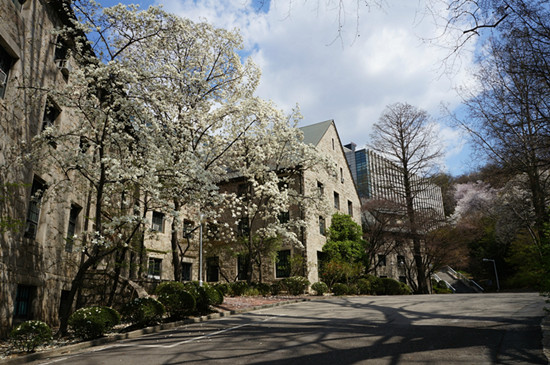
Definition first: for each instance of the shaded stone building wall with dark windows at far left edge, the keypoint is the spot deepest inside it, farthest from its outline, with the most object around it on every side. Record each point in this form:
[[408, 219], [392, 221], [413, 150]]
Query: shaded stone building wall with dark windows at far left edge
[[36, 257]]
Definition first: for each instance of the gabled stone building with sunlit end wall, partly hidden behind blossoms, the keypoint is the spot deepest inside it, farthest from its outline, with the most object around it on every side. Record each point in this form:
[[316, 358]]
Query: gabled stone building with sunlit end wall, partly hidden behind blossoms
[[224, 261]]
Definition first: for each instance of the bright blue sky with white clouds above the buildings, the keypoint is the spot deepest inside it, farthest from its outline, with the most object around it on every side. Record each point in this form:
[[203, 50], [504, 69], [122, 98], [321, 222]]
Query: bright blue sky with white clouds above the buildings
[[382, 57]]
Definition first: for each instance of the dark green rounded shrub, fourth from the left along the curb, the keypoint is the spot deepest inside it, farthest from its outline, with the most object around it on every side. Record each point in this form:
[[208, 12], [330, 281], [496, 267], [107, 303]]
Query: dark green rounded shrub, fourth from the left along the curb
[[177, 301]]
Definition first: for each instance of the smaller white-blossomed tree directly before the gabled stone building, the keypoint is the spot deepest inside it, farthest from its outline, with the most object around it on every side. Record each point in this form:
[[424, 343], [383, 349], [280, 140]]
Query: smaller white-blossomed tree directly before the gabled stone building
[[271, 204]]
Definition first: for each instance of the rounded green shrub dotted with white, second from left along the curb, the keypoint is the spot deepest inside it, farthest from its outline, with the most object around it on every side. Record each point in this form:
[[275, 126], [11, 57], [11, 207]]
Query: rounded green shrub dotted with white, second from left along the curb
[[93, 322]]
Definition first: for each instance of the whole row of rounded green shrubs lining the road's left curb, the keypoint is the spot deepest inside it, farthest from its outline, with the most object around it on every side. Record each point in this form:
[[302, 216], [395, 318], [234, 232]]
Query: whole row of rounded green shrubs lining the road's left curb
[[179, 300]]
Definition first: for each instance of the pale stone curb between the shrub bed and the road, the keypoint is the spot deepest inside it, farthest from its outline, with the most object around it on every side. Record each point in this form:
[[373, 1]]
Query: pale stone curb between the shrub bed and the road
[[65, 350]]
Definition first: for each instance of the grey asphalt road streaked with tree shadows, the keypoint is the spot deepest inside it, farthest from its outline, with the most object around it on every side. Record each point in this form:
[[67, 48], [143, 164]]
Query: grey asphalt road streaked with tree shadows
[[431, 329]]
